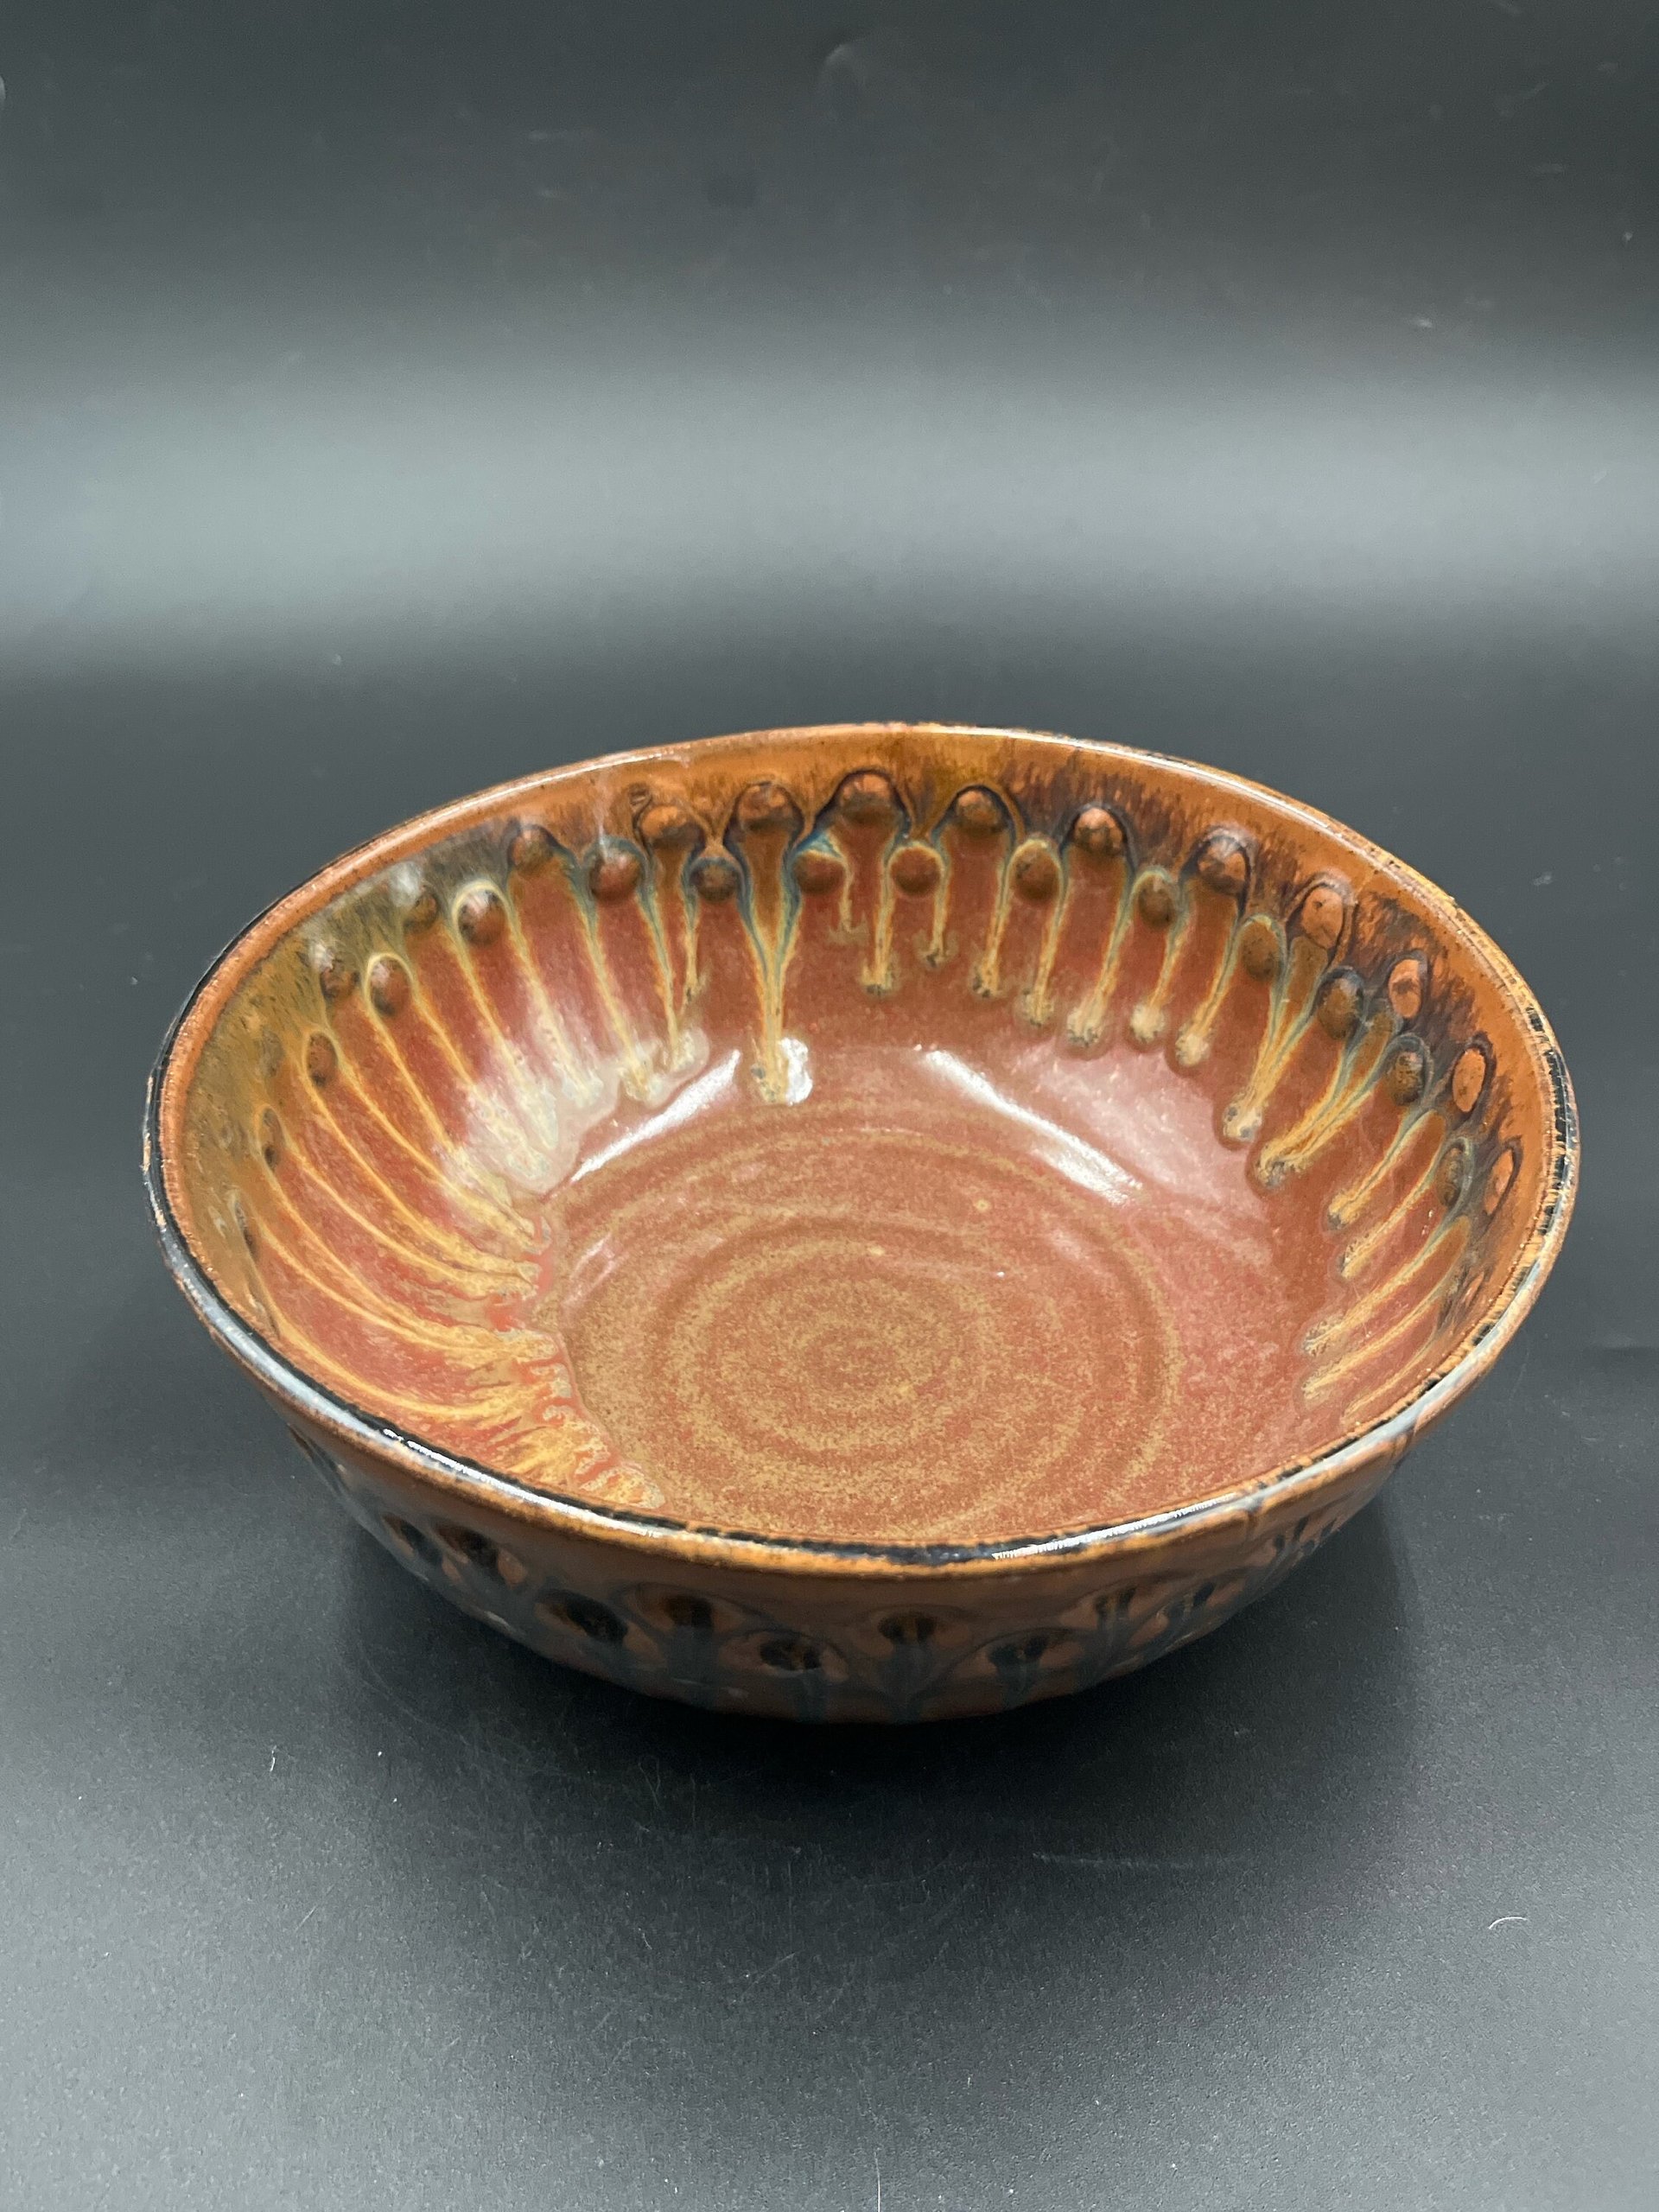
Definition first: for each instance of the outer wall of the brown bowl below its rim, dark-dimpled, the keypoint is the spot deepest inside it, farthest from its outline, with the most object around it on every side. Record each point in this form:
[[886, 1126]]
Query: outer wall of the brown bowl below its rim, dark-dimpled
[[824, 1647]]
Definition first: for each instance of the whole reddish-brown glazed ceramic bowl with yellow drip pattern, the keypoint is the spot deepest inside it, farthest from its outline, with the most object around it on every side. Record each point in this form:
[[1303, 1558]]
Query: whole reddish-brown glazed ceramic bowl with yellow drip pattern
[[862, 1222]]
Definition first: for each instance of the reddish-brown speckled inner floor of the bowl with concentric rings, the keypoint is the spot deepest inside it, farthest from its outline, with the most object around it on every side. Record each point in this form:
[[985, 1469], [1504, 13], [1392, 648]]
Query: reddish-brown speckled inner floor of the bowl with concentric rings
[[932, 1302]]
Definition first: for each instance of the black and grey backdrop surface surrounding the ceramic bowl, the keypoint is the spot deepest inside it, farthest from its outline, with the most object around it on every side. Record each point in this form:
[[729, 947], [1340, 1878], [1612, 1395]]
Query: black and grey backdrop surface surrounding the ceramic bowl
[[401, 397]]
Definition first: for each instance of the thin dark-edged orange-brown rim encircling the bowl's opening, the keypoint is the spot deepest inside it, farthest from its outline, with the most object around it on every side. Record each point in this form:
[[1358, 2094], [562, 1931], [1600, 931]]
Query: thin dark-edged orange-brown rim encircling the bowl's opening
[[1384, 1439]]
